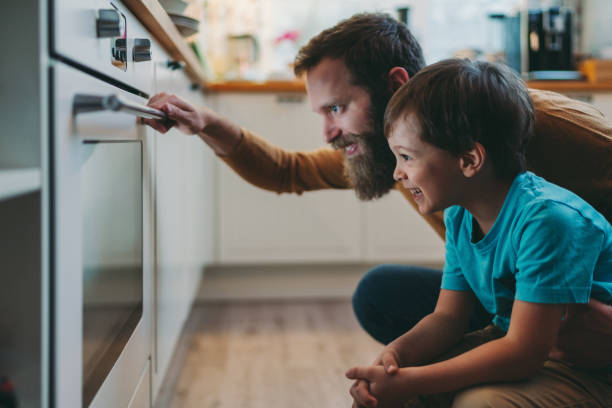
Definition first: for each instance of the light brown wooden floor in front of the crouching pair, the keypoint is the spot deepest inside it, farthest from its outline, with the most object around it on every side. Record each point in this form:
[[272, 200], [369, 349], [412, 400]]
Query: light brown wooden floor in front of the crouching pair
[[267, 354]]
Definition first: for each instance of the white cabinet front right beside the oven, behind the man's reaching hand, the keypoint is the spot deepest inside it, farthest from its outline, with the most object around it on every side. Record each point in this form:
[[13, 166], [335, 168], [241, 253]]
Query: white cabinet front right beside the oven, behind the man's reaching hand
[[184, 169]]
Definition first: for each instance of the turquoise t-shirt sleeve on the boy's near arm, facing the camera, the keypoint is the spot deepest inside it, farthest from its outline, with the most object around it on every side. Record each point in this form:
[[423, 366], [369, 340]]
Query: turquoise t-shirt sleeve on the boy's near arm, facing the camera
[[557, 249]]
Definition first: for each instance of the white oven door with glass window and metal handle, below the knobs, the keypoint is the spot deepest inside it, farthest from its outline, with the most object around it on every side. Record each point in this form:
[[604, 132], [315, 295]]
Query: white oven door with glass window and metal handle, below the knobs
[[102, 250]]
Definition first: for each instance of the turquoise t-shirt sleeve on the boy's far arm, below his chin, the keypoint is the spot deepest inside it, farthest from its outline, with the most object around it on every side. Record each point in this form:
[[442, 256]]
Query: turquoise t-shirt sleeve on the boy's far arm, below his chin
[[452, 276]]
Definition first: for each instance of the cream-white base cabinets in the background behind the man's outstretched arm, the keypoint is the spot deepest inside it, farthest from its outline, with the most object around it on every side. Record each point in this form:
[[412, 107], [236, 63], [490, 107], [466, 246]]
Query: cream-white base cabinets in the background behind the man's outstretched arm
[[258, 226]]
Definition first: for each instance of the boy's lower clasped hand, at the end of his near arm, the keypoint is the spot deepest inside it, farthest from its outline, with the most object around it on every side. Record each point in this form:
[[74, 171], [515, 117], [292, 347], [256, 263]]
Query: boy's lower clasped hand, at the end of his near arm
[[385, 390]]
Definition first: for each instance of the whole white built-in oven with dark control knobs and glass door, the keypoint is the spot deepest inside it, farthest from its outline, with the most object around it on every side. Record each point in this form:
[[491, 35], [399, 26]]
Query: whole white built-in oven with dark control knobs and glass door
[[102, 204]]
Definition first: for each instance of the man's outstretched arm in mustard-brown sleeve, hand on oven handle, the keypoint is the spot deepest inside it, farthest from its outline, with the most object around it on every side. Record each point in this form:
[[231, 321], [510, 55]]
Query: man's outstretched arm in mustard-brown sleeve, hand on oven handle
[[254, 159]]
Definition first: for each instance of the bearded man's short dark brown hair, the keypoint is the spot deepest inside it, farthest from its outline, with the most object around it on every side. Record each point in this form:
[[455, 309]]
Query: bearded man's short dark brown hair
[[370, 44]]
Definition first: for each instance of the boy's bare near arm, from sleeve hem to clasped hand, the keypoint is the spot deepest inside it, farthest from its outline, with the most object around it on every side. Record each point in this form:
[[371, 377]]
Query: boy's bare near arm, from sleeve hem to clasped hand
[[518, 355]]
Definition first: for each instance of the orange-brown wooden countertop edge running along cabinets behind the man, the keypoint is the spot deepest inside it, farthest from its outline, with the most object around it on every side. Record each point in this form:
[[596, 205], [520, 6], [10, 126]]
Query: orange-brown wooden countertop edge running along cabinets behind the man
[[156, 20]]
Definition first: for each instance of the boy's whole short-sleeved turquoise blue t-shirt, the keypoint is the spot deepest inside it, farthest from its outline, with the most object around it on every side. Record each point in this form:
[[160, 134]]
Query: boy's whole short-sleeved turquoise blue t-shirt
[[547, 245]]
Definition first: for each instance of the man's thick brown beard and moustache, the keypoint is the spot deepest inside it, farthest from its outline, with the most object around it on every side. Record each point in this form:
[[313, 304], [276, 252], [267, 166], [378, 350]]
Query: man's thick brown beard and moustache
[[370, 171]]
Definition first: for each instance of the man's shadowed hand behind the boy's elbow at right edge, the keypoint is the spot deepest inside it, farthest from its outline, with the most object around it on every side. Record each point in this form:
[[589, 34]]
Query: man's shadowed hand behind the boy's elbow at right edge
[[585, 337]]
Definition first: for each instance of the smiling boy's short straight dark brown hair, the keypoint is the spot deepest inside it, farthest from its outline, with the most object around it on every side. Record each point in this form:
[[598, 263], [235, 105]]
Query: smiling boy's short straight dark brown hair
[[460, 102]]
